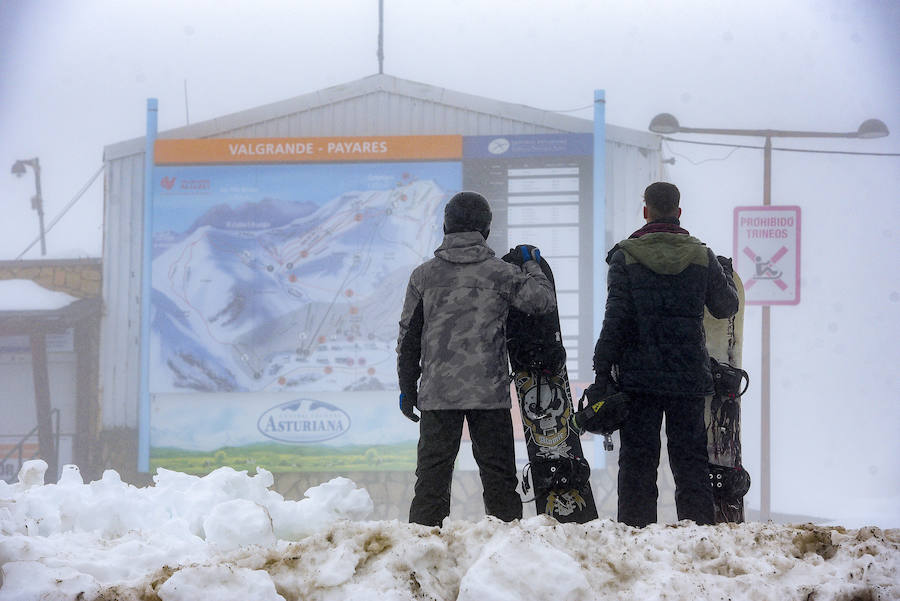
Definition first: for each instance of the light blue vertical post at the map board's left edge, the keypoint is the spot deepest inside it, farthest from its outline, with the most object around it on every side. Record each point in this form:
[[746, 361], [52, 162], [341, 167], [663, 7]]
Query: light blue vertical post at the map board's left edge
[[147, 257]]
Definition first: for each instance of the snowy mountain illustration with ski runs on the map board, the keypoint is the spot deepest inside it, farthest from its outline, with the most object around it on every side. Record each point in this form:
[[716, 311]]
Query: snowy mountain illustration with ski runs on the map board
[[279, 295]]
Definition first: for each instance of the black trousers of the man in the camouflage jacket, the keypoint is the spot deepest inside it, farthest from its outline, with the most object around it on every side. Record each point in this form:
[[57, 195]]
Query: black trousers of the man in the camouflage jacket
[[492, 446]]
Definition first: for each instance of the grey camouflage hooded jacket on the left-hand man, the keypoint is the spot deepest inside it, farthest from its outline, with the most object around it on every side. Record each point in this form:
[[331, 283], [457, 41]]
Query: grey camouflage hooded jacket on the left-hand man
[[453, 325]]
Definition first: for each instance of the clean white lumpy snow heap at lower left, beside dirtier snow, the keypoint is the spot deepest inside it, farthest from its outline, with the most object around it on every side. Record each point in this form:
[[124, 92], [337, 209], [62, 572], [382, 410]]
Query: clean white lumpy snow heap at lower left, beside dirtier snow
[[109, 532]]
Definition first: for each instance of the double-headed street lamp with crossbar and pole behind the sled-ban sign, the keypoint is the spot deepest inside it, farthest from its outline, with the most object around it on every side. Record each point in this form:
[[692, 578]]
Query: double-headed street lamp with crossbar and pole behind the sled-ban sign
[[666, 123]]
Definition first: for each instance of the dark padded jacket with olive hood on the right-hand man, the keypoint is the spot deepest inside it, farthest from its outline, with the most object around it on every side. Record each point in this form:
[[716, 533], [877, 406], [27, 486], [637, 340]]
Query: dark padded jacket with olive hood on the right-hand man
[[659, 281]]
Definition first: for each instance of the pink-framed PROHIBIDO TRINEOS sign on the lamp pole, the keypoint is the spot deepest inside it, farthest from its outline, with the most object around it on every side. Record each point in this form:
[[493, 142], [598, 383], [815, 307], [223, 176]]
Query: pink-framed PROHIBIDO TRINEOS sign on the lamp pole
[[767, 253]]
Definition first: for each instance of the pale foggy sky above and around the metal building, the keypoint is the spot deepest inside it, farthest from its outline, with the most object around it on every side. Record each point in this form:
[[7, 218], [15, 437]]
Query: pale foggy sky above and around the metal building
[[75, 77]]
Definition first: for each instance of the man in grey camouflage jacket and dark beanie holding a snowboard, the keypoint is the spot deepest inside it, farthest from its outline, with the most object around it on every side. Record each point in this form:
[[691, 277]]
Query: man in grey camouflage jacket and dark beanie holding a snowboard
[[453, 335]]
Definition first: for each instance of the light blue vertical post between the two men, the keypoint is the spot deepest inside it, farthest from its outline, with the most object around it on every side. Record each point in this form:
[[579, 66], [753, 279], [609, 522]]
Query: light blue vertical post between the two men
[[599, 255]]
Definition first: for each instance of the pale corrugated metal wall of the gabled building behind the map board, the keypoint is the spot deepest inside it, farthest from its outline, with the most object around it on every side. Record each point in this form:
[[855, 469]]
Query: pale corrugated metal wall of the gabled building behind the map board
[[388, 107]]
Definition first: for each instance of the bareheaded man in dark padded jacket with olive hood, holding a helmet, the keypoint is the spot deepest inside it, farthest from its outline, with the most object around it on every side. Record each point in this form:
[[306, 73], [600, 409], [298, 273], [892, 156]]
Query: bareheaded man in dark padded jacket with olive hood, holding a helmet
[[652, 345]]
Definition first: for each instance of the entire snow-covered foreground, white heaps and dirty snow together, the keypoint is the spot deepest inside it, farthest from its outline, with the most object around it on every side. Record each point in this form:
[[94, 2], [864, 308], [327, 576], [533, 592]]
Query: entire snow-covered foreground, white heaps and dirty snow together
[[227, 536]]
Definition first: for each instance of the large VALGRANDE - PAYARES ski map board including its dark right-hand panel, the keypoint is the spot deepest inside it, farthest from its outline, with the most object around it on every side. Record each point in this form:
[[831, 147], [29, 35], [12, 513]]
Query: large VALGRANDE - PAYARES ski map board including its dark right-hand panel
[[277, 277]]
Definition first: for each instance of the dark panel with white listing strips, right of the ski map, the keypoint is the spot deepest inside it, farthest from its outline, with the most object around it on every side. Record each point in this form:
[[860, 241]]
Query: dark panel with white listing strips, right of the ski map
[[537, 185]]
